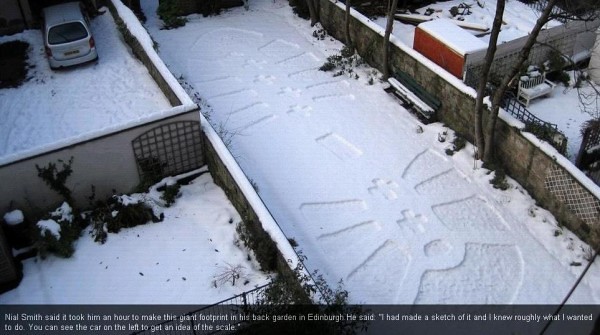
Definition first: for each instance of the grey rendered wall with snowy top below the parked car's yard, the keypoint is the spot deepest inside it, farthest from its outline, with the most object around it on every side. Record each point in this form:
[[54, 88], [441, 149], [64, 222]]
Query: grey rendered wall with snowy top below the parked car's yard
[[107, 162]]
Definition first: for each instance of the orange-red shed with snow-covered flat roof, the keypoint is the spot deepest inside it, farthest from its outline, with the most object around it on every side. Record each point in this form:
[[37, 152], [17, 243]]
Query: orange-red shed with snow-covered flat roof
[[446, 44]]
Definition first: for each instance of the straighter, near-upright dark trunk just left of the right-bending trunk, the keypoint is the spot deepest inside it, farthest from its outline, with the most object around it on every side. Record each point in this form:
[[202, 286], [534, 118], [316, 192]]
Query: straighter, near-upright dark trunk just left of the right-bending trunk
[[483, 80]]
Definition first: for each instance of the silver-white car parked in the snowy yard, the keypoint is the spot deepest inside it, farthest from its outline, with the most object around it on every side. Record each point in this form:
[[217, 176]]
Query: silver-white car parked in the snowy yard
[[67, 36]]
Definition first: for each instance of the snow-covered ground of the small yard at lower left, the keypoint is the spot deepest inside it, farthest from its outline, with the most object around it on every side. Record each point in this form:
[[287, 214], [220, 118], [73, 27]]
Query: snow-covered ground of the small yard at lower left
[[171, 262]]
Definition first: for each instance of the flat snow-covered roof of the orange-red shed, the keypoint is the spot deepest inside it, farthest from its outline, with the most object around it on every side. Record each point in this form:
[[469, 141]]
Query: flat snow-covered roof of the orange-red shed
[[452, 35]]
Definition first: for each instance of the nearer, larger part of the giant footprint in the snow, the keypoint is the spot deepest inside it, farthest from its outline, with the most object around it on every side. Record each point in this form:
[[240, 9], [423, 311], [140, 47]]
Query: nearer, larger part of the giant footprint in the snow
[[455, 248]]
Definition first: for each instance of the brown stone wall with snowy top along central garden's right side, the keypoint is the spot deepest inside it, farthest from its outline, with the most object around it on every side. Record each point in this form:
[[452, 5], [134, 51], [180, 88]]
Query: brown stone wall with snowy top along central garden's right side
[[551, 179]]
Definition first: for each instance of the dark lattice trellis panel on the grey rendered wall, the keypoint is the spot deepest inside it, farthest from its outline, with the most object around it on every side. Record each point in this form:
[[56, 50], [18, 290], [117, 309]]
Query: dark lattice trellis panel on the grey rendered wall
[[169, 149]]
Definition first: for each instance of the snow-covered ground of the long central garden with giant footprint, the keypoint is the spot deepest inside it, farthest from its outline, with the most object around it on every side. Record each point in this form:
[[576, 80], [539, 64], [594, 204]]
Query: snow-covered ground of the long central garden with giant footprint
[[345, 173]]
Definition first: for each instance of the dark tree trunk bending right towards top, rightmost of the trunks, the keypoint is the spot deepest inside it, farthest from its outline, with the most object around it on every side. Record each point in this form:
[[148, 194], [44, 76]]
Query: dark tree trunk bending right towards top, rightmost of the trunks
[[514, 70]]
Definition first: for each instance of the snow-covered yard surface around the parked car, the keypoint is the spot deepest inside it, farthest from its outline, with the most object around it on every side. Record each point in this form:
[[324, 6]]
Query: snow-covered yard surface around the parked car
[[53, 106]]
